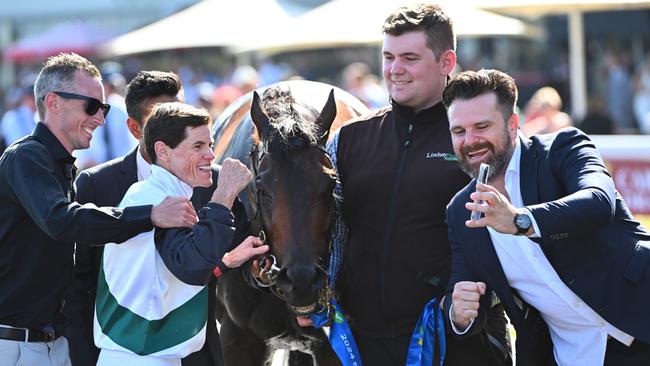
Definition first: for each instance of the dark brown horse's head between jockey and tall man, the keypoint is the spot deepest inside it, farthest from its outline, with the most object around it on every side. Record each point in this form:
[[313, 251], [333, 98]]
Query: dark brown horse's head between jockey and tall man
[[294, 193]]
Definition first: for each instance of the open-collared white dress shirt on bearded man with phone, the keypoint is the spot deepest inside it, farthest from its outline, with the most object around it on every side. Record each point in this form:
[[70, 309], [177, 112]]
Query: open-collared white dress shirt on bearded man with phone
[[579, 334]]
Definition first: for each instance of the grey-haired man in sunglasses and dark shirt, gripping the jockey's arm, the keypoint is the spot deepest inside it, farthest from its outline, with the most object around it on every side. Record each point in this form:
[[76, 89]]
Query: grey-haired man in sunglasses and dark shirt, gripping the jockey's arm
[[39, 222]]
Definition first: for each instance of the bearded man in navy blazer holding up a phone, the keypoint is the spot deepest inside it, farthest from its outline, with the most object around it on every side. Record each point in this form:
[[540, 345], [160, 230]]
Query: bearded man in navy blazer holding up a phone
[[556, 242]]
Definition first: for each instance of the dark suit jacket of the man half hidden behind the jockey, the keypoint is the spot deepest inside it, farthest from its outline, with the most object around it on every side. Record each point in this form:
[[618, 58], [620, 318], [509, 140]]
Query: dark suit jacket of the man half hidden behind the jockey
[[105, 185]]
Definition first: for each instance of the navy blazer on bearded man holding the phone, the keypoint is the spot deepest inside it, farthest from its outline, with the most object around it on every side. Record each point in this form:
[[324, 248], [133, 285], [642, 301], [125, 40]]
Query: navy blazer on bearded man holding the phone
[[587, 233]]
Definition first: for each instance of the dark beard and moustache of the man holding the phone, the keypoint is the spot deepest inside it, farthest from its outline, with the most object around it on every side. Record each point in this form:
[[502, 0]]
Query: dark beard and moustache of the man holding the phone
[[497, 162]]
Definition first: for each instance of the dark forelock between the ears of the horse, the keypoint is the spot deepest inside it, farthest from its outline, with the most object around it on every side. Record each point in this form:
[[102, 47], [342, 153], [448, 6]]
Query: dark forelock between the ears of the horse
[[293, 123]]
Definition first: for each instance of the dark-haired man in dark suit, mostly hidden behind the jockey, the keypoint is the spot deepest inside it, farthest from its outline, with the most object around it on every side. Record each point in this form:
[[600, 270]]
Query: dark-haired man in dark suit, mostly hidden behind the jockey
[[106, 184]]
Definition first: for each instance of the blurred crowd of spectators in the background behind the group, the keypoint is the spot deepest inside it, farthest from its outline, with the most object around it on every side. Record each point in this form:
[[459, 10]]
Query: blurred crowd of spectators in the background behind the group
[[623, 107]]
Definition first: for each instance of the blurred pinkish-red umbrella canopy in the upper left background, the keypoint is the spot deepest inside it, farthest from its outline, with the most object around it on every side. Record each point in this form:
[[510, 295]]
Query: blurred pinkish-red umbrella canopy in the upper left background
[[79, 37]]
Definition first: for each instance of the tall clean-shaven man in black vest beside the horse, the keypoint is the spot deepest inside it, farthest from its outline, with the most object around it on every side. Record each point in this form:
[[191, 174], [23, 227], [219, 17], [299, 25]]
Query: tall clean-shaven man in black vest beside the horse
[[397, 172]]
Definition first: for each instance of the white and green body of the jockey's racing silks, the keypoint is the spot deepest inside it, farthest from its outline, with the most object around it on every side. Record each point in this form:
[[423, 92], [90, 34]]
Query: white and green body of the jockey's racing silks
[[141, 307]]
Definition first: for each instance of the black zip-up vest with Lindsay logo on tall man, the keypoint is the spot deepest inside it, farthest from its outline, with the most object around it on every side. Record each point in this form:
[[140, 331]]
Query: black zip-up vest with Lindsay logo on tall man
[[398, 172]]
